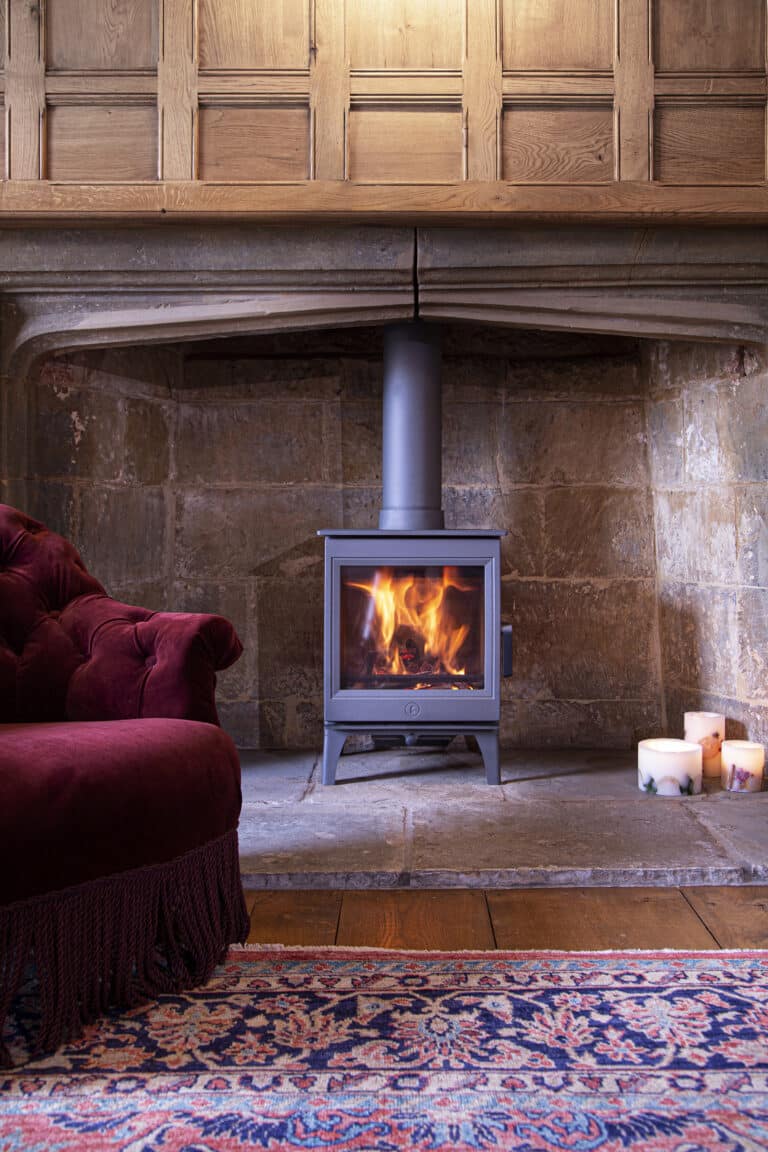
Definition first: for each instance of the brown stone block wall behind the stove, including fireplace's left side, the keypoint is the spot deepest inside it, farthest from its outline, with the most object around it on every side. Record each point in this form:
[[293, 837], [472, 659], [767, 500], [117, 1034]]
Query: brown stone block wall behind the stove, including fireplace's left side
[[195, 478]]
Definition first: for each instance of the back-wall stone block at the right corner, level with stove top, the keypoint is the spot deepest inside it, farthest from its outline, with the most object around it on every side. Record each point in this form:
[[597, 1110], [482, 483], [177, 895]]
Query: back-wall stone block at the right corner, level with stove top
[[599, 533]]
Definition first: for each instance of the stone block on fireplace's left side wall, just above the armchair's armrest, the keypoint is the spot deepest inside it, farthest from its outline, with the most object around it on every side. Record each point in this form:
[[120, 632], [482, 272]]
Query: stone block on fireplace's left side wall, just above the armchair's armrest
[[123, 534]]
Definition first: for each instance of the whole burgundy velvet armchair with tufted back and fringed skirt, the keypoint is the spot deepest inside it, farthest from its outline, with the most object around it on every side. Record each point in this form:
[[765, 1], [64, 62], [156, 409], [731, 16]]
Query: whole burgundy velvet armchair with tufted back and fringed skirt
[[119, 792]]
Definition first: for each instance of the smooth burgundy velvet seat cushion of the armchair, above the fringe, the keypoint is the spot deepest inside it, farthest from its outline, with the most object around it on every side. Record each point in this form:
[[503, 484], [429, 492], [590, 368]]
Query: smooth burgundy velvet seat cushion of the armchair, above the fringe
[[80, 801]]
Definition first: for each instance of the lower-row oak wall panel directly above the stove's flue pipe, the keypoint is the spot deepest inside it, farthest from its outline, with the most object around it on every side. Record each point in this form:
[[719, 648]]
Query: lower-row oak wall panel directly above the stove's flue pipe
[[393, 146]]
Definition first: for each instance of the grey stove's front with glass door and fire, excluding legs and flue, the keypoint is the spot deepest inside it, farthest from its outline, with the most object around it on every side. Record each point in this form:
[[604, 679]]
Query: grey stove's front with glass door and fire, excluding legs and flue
[[412, 630]]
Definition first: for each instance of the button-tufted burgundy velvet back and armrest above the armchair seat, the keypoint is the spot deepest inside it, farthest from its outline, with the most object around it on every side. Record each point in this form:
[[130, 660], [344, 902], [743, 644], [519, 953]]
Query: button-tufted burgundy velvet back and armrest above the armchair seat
[[71, 653]]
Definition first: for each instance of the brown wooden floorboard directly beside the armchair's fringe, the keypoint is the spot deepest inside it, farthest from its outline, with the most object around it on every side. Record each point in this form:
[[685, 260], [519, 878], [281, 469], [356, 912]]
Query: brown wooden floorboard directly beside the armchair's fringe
[[301, 919]]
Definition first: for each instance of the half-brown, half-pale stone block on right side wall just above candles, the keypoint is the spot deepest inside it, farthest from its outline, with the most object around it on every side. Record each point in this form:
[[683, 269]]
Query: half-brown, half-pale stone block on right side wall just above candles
[[699, 638]]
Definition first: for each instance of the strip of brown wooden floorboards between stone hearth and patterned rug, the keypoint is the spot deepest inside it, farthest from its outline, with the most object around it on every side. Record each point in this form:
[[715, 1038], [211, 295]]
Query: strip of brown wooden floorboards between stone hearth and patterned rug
[[569, 919]]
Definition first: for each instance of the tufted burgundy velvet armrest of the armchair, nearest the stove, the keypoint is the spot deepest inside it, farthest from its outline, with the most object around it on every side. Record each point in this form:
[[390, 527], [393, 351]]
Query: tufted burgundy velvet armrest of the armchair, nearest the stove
[[141, 664]]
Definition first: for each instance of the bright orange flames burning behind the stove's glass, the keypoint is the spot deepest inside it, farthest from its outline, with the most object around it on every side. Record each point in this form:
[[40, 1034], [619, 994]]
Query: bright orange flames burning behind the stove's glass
[[410, 625]]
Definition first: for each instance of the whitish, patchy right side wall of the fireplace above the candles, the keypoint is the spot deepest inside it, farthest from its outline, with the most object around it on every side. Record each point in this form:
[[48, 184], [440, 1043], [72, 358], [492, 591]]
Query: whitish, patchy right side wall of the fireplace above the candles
[[709, 421]]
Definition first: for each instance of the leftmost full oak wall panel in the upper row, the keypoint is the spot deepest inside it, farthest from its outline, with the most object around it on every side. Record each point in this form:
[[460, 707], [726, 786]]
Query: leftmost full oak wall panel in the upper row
[[102, 34]]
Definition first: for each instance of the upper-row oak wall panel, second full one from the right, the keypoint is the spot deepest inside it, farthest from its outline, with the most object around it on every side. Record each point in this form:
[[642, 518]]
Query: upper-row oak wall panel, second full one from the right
[[554, 35]]
